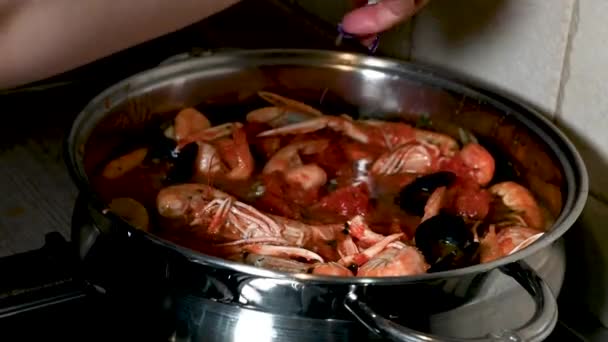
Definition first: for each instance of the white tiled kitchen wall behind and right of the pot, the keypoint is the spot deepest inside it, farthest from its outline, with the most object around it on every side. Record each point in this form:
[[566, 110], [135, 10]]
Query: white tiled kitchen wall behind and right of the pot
[[551, 54]]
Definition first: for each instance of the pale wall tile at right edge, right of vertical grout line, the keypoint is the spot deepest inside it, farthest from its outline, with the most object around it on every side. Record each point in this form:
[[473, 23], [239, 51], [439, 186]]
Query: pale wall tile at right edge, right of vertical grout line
[[584, 110]]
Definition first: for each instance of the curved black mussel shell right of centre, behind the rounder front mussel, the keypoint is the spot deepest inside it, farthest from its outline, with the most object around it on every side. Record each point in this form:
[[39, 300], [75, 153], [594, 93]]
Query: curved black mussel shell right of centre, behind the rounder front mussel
[[413, 197]]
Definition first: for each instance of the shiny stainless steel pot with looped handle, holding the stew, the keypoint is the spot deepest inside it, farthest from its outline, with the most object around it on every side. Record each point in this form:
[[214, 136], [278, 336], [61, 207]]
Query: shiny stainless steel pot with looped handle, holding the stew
[[226, 295]]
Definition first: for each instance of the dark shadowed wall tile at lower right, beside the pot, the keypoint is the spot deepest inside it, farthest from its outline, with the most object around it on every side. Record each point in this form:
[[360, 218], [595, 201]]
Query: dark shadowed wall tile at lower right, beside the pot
[[587, 254]]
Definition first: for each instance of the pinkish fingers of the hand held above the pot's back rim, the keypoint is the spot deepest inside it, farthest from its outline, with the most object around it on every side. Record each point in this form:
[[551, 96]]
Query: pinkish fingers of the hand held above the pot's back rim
[[369, 20]]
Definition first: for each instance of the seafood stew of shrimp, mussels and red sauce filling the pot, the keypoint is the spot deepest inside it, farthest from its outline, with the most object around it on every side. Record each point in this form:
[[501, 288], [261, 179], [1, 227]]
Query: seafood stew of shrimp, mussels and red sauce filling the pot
[[296, 190]]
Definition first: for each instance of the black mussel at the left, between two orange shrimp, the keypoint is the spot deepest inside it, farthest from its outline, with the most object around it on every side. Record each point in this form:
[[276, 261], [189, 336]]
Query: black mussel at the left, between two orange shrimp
[[181, 162]]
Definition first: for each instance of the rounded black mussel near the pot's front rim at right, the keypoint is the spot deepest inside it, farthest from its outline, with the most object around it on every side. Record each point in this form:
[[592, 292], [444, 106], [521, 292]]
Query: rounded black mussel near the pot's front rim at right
[[446, 242]]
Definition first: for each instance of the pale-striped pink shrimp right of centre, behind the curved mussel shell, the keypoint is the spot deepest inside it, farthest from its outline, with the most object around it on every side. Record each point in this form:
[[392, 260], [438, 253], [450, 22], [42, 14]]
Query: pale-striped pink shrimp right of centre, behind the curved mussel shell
[[414, 157]]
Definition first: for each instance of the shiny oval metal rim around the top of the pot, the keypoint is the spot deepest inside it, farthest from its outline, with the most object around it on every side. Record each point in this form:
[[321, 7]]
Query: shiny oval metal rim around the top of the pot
[[575, 172]]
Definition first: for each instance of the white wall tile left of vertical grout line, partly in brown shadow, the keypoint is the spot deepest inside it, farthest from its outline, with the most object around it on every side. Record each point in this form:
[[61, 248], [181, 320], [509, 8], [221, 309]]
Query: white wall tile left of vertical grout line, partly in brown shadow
[[515, 45]]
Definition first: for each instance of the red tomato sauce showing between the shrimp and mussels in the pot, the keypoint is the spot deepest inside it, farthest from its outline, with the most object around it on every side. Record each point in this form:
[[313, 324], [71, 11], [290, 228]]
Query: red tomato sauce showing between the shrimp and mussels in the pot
[[337, 201]]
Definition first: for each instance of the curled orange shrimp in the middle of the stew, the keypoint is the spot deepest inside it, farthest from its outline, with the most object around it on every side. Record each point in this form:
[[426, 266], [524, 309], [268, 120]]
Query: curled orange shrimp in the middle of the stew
[[287, 161]]
